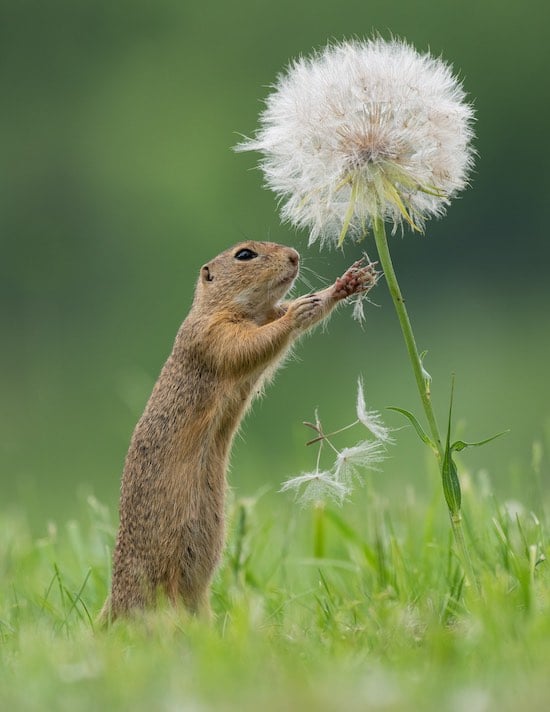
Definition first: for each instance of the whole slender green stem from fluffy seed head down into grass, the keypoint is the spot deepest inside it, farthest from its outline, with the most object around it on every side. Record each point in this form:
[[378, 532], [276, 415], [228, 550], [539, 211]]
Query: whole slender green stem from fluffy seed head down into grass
[[421, 382]]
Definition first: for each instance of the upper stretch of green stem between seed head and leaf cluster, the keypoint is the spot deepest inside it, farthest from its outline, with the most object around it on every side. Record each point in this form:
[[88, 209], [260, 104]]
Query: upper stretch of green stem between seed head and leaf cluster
[[399, 304]]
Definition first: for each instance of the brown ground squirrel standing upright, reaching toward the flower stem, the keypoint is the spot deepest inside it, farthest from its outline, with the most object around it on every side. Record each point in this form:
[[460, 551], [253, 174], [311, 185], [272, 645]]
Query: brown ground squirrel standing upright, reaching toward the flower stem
[[171, 531]]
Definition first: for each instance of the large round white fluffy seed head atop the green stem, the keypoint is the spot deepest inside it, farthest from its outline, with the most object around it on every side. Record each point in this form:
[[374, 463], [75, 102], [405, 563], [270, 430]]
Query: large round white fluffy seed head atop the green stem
[[362, 131]]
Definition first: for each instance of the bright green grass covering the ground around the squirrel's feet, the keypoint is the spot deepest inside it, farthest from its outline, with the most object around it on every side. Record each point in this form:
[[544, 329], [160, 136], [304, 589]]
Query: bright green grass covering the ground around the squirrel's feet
[[381, 622]]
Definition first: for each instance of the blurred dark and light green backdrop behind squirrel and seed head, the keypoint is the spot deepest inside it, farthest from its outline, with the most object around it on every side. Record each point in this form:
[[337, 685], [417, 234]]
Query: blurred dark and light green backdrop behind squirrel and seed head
[[118, 181]]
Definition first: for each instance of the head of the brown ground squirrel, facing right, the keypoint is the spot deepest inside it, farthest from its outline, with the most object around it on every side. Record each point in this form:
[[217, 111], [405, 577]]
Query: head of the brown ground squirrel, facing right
[[250, 277]]
